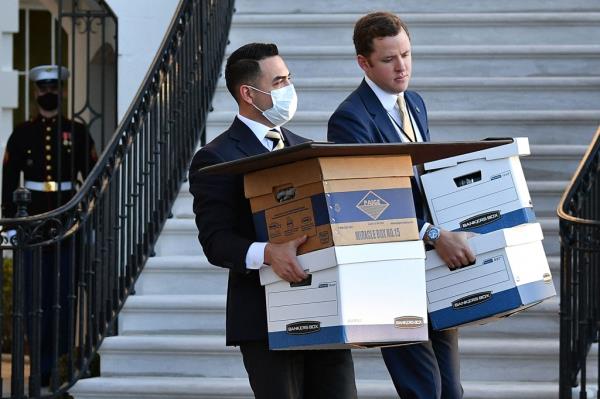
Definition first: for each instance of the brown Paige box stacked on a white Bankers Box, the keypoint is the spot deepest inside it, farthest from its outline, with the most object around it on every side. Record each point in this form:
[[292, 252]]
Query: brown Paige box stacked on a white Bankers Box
[[366, 265]]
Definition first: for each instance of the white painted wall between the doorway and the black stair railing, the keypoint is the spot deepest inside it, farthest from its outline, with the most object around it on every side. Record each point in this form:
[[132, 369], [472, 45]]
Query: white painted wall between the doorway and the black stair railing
[[142, 25]]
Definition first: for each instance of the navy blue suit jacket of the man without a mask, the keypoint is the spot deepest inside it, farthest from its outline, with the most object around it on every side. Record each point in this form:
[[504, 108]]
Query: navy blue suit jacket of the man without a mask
[[361, 118]]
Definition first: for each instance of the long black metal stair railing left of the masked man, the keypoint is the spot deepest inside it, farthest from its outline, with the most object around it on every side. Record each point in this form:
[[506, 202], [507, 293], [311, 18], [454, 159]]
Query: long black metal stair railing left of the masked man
[[91, 250]]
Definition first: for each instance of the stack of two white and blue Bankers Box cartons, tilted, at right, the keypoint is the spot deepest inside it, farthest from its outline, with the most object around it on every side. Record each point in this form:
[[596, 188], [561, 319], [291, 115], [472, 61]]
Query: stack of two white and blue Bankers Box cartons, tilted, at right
[[485, 192]]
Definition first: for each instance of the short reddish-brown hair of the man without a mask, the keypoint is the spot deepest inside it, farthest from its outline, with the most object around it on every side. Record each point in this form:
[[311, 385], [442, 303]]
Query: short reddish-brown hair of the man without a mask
[[374, 25]]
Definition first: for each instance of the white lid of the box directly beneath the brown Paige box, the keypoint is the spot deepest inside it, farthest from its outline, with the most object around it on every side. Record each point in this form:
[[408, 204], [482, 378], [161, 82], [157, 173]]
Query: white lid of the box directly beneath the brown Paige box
[[338, 255]]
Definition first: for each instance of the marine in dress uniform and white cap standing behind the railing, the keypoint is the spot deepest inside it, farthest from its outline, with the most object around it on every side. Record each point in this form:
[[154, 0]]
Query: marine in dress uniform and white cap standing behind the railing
[[53, 156]]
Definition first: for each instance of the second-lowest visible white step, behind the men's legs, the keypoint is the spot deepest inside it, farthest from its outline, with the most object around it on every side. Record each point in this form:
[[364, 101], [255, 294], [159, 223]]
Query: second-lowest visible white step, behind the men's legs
[[482, 359]]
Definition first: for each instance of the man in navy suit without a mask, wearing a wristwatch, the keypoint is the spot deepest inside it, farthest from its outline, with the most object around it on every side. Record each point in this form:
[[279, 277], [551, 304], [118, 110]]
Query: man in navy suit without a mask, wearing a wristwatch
[[381, 110]]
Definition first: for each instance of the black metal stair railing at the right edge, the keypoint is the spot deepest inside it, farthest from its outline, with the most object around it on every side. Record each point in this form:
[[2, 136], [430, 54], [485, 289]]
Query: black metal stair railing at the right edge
[[579, 216]]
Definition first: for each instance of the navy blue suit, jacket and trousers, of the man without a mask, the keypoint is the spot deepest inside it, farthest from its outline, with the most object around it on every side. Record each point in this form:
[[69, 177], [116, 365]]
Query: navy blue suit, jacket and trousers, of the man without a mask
[[426, 370]]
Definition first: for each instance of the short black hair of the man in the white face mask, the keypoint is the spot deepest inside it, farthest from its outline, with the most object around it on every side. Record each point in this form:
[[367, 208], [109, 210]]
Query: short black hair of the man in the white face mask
[[242, 65]]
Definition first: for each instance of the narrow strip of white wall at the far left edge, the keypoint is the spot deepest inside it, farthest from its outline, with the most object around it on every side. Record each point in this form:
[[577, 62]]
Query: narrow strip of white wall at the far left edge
[[9, 93]]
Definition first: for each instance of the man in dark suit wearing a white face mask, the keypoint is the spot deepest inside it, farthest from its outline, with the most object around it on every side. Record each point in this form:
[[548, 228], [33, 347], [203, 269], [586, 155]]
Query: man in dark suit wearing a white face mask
[[259, 80]]
